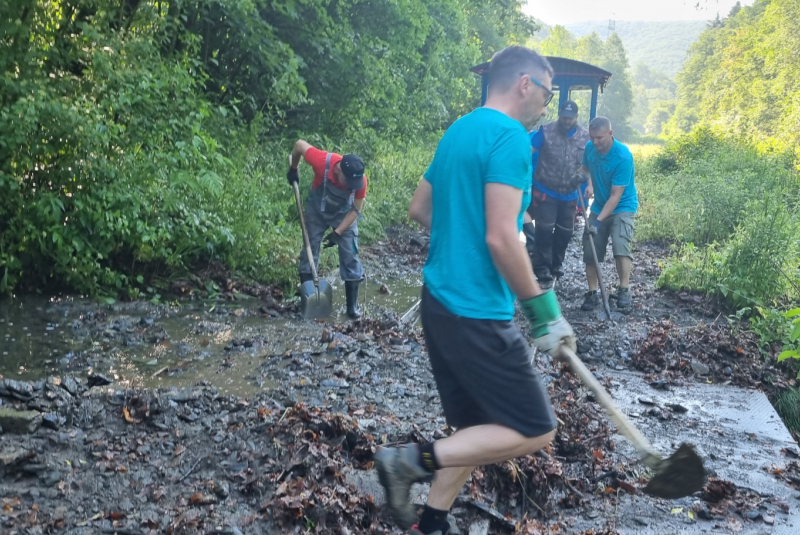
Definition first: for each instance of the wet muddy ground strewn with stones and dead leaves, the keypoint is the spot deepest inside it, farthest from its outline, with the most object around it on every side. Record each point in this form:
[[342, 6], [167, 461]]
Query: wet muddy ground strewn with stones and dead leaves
[[223, 412]]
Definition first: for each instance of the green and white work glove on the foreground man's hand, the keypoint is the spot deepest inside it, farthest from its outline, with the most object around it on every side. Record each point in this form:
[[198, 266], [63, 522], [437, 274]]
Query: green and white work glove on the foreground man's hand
[[549, 328]]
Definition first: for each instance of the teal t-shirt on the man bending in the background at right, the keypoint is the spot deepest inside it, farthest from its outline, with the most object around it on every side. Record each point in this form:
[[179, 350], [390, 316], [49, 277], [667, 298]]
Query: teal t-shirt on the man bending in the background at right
[[612, 169]]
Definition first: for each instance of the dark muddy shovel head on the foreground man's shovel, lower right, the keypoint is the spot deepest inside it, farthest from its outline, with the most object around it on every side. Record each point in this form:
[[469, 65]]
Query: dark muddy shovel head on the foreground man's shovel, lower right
[[682, 474]]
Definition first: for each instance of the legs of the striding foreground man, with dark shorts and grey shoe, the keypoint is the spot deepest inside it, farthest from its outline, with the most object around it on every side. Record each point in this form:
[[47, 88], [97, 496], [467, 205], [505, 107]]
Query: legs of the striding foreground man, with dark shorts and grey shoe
[[489, 391]]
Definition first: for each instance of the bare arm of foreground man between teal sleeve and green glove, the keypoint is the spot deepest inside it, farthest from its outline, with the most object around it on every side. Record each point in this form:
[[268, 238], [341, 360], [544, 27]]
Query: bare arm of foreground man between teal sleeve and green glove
[[502, 238]]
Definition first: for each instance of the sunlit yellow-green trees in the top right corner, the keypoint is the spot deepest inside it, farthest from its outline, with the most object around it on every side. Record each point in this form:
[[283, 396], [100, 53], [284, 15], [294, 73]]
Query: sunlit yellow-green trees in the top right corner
[[742, 75]]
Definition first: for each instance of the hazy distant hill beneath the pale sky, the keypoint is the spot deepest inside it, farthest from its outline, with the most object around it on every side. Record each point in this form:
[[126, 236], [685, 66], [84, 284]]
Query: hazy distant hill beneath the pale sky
[[659, 45]]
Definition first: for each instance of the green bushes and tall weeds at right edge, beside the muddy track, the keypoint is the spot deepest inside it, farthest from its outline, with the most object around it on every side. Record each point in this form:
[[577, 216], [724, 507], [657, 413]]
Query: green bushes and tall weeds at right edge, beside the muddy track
[[731, 213]]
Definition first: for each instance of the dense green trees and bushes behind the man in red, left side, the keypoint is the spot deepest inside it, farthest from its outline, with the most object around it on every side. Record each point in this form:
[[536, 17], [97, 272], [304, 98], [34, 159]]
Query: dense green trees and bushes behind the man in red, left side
[[140, 138]]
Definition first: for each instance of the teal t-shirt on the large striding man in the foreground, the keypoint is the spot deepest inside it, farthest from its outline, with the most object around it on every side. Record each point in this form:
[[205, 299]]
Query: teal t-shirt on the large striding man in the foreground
[[481, 147]]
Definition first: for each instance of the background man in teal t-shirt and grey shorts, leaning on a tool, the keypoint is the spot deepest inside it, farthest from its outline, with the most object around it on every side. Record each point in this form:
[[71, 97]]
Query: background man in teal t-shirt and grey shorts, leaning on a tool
[[609, 163]]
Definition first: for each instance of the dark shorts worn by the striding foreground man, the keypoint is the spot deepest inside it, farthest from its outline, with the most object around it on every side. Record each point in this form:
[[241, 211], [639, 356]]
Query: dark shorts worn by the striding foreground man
[[484, 372]]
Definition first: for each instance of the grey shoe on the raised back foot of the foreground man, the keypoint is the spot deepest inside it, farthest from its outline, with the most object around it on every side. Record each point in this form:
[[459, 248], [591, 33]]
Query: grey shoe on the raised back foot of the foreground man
[[398, 470]]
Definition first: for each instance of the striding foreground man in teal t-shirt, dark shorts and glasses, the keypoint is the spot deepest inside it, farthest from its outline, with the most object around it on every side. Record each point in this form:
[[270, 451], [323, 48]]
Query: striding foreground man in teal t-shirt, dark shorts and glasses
[[472, 199]]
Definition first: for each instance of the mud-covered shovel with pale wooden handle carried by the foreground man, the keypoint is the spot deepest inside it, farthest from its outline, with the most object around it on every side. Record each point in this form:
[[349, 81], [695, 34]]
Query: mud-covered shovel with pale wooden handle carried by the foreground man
[[681, 474]]
